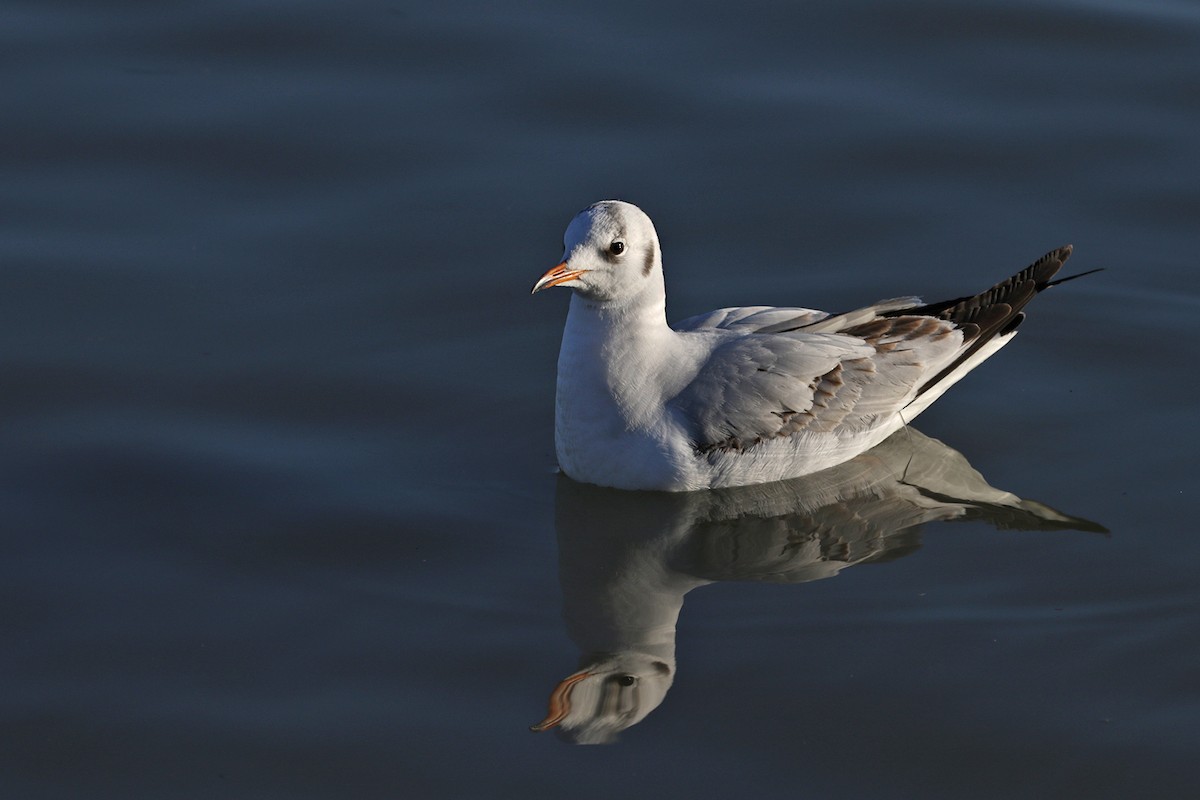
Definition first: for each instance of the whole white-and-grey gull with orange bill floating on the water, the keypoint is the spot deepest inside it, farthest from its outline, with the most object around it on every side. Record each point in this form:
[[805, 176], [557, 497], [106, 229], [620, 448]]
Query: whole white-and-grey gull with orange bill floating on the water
[[747, 395]]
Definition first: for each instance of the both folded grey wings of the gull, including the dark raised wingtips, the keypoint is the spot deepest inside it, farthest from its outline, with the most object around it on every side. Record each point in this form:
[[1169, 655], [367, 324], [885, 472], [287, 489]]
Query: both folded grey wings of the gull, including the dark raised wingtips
[[800, 371]]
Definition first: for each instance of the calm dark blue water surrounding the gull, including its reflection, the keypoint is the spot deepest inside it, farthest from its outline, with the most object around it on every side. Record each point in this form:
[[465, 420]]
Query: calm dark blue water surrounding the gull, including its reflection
[[278, 454]]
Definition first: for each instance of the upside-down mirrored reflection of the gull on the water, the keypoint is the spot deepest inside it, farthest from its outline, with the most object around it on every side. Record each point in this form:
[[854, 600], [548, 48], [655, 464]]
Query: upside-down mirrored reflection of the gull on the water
[[627, 560]]
